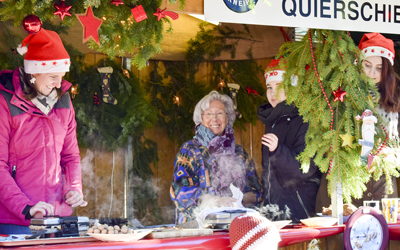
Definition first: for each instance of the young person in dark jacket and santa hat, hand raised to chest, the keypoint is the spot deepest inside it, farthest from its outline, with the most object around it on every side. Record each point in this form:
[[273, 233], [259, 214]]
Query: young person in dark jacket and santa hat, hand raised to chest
[[284, 182]]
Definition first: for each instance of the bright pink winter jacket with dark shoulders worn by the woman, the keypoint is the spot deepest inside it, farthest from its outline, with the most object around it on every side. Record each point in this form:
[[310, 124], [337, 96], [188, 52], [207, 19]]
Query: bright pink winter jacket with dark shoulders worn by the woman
[[42, 150]]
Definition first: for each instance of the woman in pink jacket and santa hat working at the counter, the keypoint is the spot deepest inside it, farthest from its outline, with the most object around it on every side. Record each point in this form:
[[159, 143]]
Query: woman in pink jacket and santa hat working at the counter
[[39, 161]]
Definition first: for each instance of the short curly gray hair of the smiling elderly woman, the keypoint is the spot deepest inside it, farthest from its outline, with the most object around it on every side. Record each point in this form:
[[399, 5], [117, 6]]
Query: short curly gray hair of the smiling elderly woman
[[204, 104]]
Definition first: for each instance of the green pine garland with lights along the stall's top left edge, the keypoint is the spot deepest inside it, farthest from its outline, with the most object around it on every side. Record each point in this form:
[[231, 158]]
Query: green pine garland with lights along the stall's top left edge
[[119, 34]]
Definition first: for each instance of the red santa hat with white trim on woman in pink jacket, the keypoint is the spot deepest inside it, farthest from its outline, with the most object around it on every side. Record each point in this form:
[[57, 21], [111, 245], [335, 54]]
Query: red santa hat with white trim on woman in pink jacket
[[45, 53]]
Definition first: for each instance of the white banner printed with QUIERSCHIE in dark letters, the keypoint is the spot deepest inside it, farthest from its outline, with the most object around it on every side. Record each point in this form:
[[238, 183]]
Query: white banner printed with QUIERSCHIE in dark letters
[[357, 15]]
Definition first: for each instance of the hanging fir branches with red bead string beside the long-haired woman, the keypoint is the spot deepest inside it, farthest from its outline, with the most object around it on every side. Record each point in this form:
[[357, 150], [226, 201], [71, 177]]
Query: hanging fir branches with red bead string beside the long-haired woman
[[331, 91]]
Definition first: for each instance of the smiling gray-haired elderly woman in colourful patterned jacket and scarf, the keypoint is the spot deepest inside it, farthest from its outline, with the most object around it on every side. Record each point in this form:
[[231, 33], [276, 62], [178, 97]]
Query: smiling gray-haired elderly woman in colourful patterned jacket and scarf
[[206, 165]]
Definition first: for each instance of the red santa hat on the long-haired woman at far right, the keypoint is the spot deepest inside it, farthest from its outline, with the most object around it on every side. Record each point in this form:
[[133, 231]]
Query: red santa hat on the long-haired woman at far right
[[374, 44]]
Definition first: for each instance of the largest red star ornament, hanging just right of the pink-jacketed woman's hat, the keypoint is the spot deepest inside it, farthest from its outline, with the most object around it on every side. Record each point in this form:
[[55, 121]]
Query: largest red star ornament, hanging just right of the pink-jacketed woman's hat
[[91, 25]]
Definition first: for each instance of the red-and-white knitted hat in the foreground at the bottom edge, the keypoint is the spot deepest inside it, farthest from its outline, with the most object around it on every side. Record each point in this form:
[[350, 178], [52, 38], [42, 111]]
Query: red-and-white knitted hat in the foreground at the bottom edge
[[253, 231]]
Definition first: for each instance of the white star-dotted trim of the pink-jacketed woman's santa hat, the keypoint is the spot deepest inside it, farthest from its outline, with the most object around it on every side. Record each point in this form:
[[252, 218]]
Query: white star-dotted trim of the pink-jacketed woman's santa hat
[[53, 66]]
